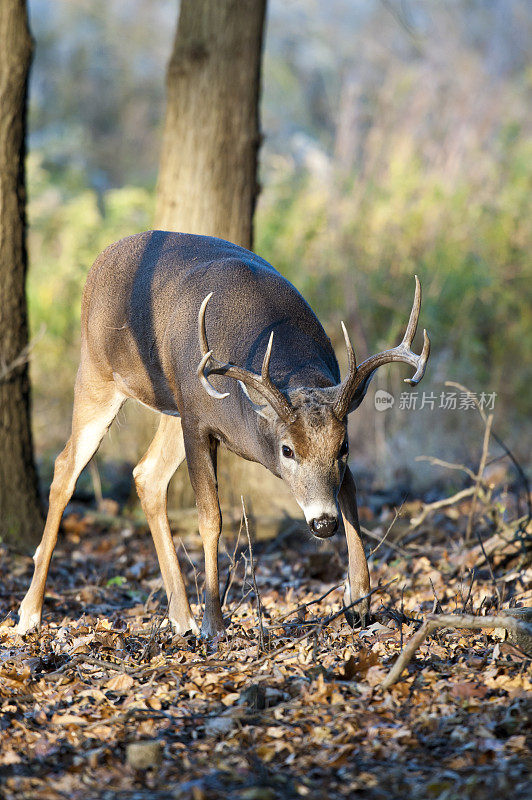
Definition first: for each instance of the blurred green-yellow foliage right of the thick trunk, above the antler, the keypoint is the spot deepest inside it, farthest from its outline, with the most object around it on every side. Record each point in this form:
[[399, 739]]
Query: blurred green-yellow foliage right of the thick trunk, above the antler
[[468, 240]]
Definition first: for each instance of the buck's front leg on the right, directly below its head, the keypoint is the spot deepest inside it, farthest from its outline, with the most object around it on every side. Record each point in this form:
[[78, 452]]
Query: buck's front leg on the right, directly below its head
[[358, 575]]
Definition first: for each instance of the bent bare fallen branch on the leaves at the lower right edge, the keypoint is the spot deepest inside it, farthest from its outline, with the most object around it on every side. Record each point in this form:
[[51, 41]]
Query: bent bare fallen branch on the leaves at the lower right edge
[[466, 621]]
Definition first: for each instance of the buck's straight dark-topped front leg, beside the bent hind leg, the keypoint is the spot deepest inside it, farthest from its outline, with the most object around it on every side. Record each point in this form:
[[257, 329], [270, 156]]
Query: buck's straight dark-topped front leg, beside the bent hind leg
[[201, 460]]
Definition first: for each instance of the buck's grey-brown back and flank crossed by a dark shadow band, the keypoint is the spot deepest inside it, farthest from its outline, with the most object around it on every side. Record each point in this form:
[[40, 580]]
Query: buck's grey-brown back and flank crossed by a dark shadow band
[[140, 309]]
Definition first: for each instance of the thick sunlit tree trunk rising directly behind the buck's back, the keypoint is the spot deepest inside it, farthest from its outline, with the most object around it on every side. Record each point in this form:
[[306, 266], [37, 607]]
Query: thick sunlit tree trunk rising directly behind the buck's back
[[208, 170]]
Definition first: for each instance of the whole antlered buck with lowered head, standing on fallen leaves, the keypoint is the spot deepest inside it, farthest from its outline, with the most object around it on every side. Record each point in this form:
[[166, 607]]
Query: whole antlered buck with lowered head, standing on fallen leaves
[[215, 339]]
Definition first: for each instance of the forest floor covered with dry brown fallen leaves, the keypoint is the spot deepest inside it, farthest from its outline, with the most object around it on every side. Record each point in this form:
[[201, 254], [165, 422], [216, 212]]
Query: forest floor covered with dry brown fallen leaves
[[104, 702]]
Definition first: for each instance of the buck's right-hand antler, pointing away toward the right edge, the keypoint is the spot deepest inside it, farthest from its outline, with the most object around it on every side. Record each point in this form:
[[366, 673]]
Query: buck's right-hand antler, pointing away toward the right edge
[[359, 376]]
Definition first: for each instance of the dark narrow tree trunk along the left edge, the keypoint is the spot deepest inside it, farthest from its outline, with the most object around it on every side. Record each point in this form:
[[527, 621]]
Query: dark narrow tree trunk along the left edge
[[20, 510]]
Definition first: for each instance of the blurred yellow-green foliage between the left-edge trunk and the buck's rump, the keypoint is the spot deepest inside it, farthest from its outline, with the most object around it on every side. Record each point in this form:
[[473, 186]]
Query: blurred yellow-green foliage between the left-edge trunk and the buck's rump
[[69, 225]]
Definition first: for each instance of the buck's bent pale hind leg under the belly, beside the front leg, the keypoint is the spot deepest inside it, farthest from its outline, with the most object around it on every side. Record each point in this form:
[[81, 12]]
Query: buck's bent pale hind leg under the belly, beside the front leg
[[152, 475]]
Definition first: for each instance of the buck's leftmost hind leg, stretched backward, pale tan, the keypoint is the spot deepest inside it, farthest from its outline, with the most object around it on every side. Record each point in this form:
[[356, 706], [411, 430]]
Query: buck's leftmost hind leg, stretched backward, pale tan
[[96, 404]]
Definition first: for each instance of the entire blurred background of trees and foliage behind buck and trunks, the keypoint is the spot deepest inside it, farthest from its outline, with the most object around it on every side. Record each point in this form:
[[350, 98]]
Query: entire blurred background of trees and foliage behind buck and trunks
[[397, 139]]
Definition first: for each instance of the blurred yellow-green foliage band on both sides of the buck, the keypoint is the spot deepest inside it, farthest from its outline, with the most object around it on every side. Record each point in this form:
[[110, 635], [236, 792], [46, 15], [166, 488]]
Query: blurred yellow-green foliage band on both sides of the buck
[[351, 245]]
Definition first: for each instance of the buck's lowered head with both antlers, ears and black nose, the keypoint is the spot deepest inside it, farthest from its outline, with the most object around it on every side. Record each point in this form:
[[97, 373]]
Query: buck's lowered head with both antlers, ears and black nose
[[307, 427]]
